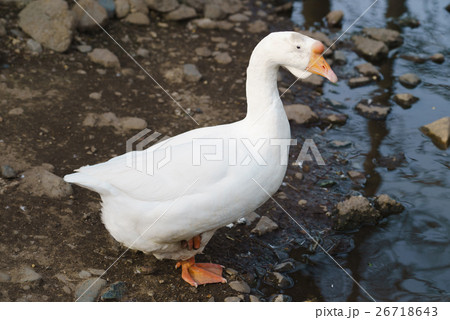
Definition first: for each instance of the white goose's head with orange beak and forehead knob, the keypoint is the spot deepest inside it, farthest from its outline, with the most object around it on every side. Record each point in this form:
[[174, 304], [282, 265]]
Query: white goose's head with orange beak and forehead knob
[[298, 53]]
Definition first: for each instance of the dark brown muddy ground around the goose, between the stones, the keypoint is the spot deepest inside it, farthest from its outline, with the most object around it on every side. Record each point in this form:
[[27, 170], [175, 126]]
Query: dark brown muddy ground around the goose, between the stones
[[64, 236]]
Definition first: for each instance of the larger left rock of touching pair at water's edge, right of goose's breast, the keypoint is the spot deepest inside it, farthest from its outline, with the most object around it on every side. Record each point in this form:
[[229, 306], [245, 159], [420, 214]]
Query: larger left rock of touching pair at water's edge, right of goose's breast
[[354, 212]]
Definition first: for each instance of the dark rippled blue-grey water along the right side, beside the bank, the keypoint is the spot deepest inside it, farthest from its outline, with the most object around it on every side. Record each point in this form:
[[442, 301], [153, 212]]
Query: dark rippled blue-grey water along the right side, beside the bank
[[407, 257]]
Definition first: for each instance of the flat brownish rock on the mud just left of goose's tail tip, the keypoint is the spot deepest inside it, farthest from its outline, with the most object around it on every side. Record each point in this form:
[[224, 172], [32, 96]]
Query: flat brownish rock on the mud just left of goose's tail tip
[[39, 182]]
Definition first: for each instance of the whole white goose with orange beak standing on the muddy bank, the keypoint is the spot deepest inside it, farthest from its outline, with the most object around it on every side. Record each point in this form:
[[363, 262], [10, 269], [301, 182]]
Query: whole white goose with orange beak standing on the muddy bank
[[215, 175]]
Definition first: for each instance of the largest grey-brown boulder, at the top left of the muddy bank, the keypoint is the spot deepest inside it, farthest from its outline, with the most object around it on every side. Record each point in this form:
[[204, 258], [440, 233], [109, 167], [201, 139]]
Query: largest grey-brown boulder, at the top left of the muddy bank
[[49, 22]]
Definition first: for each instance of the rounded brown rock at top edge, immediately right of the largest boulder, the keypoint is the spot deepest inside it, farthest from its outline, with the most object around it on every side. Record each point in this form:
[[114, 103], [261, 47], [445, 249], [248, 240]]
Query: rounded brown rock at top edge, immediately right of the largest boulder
[[95, 10]]
